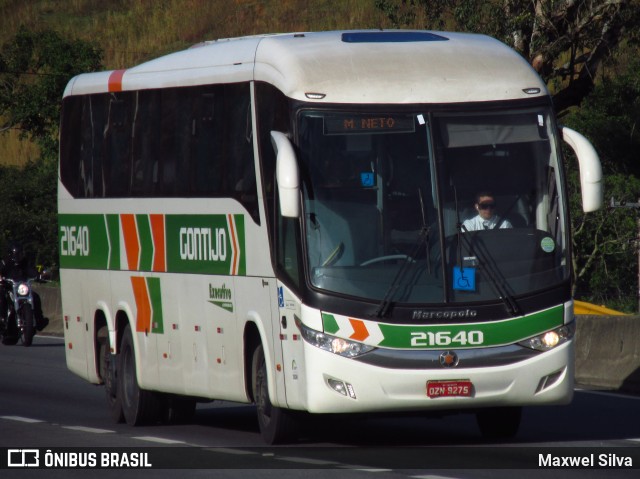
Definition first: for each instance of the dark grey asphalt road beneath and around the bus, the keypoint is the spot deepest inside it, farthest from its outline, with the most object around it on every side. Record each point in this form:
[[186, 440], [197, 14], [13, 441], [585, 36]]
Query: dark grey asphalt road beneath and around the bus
[[44, 407]]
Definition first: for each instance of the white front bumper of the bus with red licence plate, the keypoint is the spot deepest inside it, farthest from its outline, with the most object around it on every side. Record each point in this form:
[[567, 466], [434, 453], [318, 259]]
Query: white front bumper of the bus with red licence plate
[[336, 384]]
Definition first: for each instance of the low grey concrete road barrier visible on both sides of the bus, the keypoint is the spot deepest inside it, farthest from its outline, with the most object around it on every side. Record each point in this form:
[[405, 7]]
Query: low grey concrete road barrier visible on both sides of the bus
[[607, 347]]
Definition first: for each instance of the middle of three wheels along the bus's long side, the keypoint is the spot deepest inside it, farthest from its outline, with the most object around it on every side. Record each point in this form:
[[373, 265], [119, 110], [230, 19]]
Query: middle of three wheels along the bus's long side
[[139, 406]]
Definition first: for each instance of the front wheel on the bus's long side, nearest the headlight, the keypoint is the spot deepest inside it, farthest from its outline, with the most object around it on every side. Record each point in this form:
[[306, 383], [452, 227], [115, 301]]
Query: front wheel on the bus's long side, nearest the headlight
[[277, 425]]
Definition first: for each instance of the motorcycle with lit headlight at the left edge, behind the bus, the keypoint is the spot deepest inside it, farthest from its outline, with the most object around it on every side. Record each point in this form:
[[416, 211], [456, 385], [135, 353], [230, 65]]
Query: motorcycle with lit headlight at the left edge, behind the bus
[[19, 321]]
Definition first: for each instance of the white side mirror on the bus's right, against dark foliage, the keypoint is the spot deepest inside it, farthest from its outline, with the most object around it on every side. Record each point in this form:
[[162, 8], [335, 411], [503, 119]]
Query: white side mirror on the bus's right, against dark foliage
[[590, 169]]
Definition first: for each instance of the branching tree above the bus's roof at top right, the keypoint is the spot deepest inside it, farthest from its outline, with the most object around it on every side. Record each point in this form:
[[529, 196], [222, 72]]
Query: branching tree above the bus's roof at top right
[[566, 41]]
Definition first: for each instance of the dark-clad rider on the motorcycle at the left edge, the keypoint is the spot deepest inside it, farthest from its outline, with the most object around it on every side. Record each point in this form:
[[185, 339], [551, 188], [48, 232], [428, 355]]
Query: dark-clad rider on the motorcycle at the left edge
[[15, 266]]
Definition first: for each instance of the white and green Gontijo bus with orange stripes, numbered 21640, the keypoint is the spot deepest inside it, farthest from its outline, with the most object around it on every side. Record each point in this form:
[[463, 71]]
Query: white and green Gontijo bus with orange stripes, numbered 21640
[[280, 220]]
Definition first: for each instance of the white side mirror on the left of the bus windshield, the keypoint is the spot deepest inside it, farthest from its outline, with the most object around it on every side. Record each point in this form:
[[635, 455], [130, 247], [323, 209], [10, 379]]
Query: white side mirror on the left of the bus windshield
[[287, 175]]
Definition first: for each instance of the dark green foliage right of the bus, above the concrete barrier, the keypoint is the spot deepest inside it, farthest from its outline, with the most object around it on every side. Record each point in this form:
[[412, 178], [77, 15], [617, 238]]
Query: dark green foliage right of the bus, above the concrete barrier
[[605, 244]]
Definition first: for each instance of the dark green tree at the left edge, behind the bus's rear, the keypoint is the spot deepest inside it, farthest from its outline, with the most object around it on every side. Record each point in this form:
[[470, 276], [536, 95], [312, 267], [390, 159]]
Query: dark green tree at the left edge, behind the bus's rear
[[34, 70]]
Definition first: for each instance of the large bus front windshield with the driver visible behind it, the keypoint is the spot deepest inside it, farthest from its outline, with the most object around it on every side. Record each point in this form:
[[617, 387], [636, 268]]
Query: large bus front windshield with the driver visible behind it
[[436, 207]]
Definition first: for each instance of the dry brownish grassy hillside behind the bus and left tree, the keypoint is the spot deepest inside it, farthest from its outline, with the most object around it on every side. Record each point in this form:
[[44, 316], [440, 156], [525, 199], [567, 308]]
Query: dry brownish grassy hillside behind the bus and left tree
[[132, 31]]
